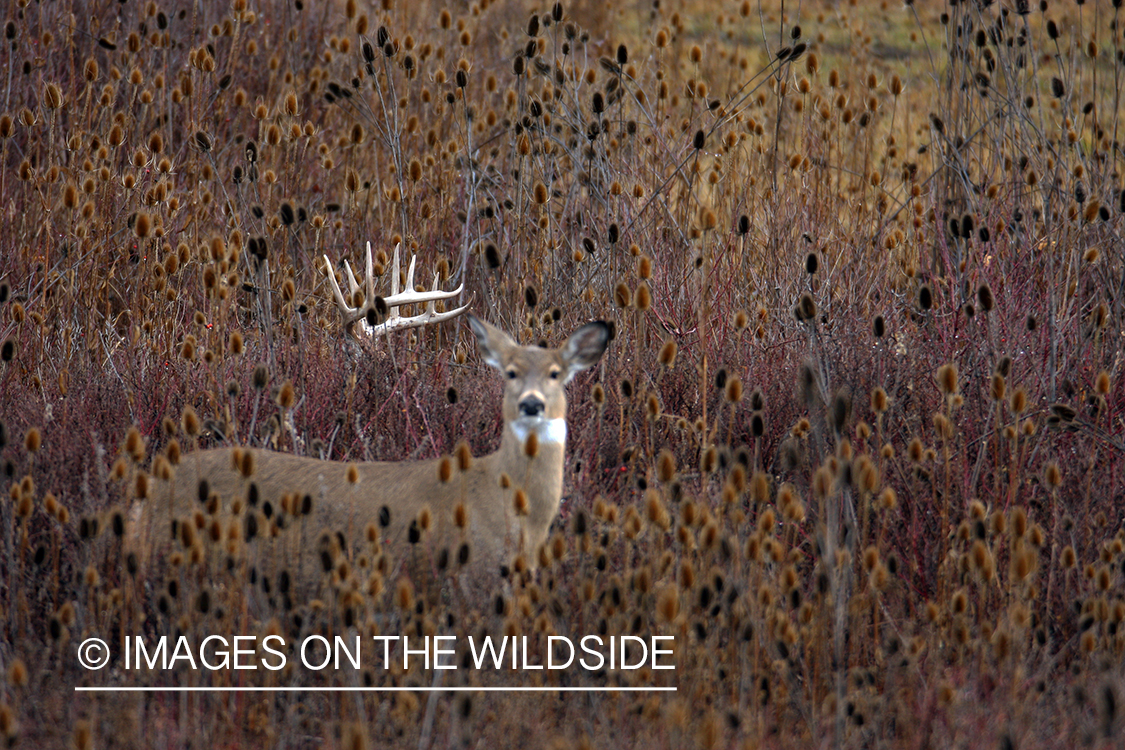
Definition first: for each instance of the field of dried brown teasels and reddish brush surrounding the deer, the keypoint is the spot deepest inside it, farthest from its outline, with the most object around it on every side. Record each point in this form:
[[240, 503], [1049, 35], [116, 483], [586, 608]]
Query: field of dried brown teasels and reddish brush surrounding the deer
[[858, 442]]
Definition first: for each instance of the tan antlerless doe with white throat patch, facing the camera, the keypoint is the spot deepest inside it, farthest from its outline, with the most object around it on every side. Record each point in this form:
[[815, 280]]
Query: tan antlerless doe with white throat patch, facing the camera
[[510, 498]]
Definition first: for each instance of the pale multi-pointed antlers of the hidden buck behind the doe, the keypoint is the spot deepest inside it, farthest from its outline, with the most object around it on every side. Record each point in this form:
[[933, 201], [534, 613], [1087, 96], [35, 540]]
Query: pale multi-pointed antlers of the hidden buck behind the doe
[[377, 308]]
